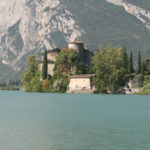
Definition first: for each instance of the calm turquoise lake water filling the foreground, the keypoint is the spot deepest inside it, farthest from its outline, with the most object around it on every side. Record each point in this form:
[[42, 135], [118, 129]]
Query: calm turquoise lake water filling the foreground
[[74, 122]]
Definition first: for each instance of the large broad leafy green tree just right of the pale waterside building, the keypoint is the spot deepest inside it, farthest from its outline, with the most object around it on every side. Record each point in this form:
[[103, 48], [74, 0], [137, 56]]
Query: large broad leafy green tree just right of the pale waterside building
[[109, 69]]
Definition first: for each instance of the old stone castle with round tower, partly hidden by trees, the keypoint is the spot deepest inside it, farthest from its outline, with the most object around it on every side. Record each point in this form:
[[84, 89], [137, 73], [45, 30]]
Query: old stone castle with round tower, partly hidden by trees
[[85, 56]]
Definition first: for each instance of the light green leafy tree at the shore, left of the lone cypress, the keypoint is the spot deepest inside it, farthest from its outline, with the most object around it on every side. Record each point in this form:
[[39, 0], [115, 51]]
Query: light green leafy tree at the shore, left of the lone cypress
[[31, 76]]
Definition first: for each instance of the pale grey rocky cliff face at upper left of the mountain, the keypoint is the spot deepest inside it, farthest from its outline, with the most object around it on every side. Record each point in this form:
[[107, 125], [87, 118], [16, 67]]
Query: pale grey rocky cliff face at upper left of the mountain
[[33, 25]]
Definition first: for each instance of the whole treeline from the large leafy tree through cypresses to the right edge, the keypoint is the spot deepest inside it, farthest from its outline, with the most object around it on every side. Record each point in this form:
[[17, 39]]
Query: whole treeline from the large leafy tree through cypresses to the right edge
[[113, 69]]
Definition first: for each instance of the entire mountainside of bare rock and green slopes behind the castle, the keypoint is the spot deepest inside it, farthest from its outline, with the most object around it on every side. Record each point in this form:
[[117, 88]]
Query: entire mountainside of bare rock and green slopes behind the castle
[[30, 26]]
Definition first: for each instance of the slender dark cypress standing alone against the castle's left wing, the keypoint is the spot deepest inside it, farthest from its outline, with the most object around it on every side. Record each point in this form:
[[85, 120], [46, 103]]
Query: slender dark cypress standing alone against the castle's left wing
[[44, 66]]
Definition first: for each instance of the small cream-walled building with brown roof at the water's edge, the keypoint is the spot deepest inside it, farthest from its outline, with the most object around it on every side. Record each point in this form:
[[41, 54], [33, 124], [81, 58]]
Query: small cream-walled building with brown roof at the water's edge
[[81, 84]]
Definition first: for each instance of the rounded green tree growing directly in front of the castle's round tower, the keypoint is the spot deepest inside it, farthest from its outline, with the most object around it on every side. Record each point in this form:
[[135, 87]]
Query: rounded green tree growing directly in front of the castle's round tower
[[67, 61]]
